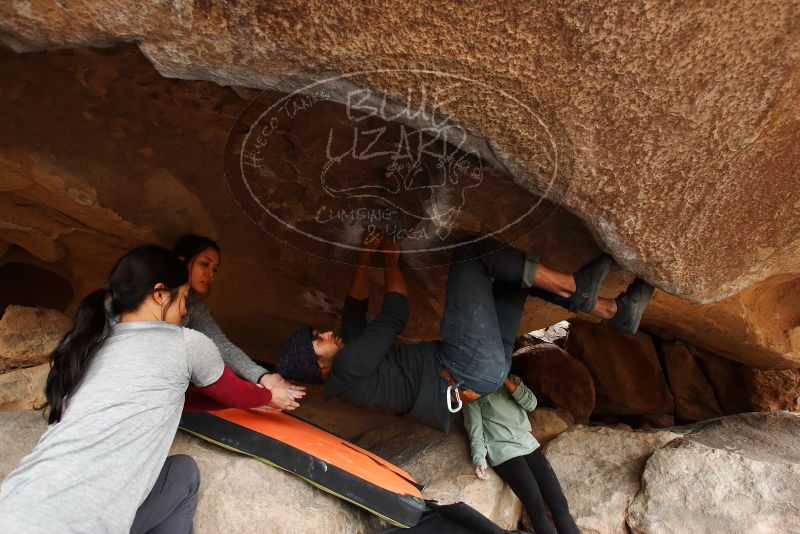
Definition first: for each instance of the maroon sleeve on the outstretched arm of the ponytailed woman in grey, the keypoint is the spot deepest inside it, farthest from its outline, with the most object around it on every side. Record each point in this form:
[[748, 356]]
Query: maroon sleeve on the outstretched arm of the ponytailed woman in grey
[[229, 391]]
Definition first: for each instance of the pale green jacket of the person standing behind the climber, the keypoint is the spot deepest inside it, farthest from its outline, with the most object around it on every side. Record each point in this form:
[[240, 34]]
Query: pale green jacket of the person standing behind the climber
[[498, 425]]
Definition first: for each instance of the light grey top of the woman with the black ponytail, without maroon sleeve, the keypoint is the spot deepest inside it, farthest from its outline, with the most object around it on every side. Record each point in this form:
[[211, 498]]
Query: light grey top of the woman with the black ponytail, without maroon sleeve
[[91, 471]]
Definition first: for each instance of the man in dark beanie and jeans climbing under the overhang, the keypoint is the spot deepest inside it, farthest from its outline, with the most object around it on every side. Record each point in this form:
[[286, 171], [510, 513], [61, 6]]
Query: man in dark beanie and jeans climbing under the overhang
[[487, 287]]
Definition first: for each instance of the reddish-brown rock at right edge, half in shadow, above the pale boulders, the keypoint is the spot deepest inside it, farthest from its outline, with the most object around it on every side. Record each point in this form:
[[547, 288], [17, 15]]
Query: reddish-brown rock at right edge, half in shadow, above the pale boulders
[[741, 388]]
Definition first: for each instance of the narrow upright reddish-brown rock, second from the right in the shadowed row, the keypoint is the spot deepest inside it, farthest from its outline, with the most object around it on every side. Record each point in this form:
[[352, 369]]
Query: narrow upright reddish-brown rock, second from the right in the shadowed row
[[694, 396]]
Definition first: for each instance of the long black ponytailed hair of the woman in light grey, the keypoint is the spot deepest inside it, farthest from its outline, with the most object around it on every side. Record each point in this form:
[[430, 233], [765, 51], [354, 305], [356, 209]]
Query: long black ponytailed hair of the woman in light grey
[[132, 279]]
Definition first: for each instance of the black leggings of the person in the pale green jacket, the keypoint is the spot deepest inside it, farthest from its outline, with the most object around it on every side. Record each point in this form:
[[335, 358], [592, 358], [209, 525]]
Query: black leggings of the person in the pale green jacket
[[535, 483]]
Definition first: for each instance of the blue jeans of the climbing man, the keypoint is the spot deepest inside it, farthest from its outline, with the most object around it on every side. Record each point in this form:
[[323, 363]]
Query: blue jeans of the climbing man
[[484, 302]]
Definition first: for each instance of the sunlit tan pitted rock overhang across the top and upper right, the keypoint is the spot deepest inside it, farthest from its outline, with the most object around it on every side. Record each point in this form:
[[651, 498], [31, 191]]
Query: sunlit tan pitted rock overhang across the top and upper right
[[717, 60]]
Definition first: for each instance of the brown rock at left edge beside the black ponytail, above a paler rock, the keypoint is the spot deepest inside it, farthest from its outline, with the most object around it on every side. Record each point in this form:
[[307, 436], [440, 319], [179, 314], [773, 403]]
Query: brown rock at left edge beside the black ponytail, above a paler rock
[[29, 335]]
